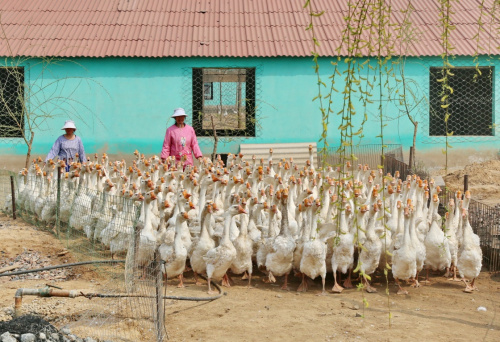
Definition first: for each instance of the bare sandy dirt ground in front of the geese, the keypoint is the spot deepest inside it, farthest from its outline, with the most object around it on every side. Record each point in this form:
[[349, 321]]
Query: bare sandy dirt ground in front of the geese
[[440, 311]]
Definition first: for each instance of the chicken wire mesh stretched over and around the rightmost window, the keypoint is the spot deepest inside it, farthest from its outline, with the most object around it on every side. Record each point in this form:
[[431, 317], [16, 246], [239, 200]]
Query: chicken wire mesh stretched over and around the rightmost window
[[471, 106]]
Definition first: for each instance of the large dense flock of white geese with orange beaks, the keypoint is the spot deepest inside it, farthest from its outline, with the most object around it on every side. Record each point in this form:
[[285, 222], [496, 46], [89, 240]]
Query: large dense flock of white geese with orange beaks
[[279, 216]]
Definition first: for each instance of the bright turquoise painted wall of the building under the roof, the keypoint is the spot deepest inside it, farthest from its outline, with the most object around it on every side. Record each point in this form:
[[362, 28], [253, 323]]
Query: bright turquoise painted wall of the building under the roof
[[123, 104]]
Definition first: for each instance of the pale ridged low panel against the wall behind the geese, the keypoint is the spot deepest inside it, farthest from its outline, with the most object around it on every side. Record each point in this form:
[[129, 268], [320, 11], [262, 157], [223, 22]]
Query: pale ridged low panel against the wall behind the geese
[[298, 151]]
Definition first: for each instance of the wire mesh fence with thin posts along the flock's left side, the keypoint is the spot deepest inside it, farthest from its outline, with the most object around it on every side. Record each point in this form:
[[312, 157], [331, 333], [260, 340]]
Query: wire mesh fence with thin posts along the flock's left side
[[97, 225]]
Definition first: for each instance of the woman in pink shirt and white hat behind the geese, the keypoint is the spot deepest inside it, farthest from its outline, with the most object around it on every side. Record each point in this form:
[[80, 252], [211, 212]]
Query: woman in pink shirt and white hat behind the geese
[[180, 140]]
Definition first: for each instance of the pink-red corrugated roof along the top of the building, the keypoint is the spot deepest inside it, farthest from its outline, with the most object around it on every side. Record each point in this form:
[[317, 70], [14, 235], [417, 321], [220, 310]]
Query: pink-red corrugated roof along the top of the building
[[213, 28]]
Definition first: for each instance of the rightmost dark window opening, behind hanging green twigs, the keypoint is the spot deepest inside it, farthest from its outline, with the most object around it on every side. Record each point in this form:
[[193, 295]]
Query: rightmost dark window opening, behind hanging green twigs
[[470, 105]]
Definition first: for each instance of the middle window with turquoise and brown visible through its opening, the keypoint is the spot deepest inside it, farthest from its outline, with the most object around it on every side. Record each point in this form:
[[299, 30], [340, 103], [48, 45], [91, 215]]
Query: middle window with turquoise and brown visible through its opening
[[224, 100]]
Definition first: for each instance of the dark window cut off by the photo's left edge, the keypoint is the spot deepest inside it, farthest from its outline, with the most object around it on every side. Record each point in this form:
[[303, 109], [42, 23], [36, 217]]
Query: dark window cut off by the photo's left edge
[[11, 102]]
